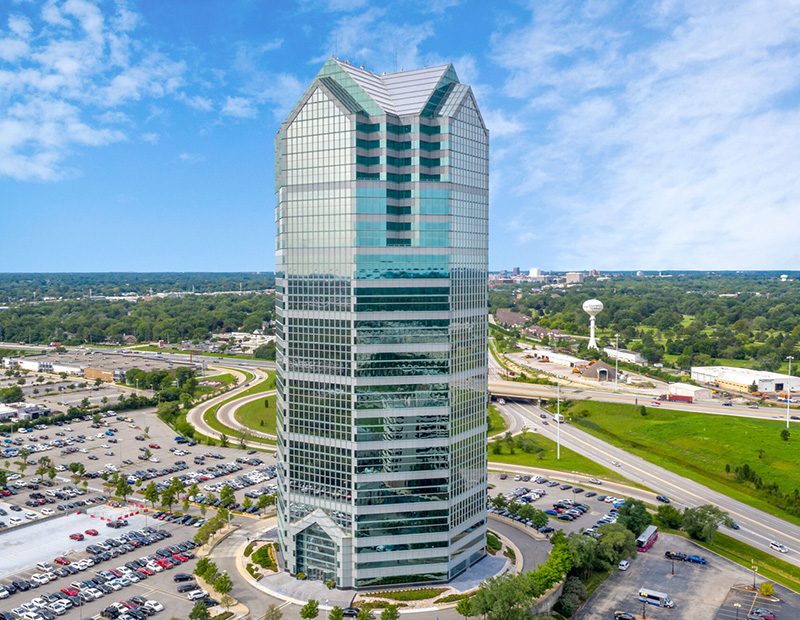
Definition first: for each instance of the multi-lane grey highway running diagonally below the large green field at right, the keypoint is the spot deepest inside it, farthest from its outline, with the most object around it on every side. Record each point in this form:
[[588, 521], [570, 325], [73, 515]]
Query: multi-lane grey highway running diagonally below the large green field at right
[[758, 528]]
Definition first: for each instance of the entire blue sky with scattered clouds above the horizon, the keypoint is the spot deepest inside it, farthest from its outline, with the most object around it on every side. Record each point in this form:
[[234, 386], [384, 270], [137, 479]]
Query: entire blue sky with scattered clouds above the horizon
[[137, 135]]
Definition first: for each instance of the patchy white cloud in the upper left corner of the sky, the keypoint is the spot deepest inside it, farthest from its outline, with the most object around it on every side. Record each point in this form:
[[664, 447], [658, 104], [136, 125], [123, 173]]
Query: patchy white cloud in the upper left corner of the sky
[[68, 74]]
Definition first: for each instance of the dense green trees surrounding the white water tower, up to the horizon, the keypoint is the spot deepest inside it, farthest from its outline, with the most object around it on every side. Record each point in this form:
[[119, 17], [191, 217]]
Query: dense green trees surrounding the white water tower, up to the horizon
[[759, 321]]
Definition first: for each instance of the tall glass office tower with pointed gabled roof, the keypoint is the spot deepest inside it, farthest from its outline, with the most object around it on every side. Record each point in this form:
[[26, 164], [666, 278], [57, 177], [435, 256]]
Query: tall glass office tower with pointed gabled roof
[[382, 186]]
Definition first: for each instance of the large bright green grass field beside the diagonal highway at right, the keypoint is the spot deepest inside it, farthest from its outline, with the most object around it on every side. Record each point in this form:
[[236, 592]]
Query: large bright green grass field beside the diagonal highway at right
[[698, 446]]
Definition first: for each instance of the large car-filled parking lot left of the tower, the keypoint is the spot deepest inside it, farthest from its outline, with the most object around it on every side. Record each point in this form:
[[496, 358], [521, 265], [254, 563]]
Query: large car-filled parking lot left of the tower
[[155, 456]]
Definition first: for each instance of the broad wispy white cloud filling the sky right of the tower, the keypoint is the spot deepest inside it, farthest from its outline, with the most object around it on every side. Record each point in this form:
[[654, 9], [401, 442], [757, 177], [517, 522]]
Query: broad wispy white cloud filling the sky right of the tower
[[674, 149]]
